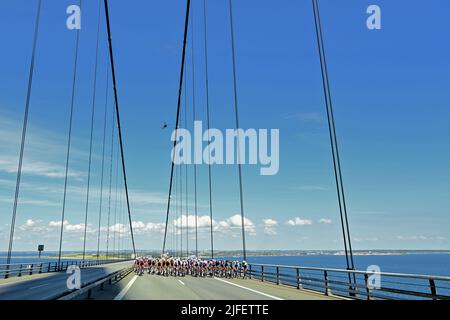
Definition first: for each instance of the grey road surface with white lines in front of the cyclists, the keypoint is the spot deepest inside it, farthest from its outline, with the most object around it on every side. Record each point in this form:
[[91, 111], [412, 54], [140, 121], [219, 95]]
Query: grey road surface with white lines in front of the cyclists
[[152, 287]]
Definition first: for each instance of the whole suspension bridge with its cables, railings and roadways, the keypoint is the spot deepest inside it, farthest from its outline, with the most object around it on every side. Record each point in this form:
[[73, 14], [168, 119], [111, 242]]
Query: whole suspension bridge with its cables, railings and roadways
[[106, 270]]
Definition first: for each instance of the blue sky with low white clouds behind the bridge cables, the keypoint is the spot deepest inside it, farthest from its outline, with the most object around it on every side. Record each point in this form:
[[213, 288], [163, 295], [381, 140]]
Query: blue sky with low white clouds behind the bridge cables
[[391, 97]]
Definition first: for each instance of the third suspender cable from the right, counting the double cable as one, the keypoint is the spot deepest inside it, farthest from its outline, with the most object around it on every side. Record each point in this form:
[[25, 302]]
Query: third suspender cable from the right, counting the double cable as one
[[209, 126]]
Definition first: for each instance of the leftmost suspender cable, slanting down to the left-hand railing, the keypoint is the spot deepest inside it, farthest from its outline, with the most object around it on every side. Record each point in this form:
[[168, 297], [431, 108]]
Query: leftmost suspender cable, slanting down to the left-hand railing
[[24, 132]]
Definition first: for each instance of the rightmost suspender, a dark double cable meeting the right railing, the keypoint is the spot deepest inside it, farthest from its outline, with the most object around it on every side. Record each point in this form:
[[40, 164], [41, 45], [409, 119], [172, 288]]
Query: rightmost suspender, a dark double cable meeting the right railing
[[333, 139]]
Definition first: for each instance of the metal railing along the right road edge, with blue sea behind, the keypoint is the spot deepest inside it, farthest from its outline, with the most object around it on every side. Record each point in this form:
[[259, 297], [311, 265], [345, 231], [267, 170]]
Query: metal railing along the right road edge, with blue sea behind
[[355, 284]]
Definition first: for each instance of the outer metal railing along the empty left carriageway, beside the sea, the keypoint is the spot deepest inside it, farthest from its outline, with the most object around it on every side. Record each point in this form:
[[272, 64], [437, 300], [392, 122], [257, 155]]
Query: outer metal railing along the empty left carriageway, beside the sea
[[30, 268]]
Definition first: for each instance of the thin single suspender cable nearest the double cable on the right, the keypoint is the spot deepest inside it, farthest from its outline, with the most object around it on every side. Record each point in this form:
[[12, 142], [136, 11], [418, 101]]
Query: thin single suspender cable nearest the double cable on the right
[[241, 196]]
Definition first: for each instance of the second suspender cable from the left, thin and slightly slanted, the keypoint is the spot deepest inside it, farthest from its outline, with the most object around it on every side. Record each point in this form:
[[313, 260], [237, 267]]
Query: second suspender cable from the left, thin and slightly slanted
[[92, 130]]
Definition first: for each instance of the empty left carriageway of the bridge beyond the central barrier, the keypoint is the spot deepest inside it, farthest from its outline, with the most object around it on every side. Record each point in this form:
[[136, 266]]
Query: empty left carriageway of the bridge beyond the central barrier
[[48, 286]]
